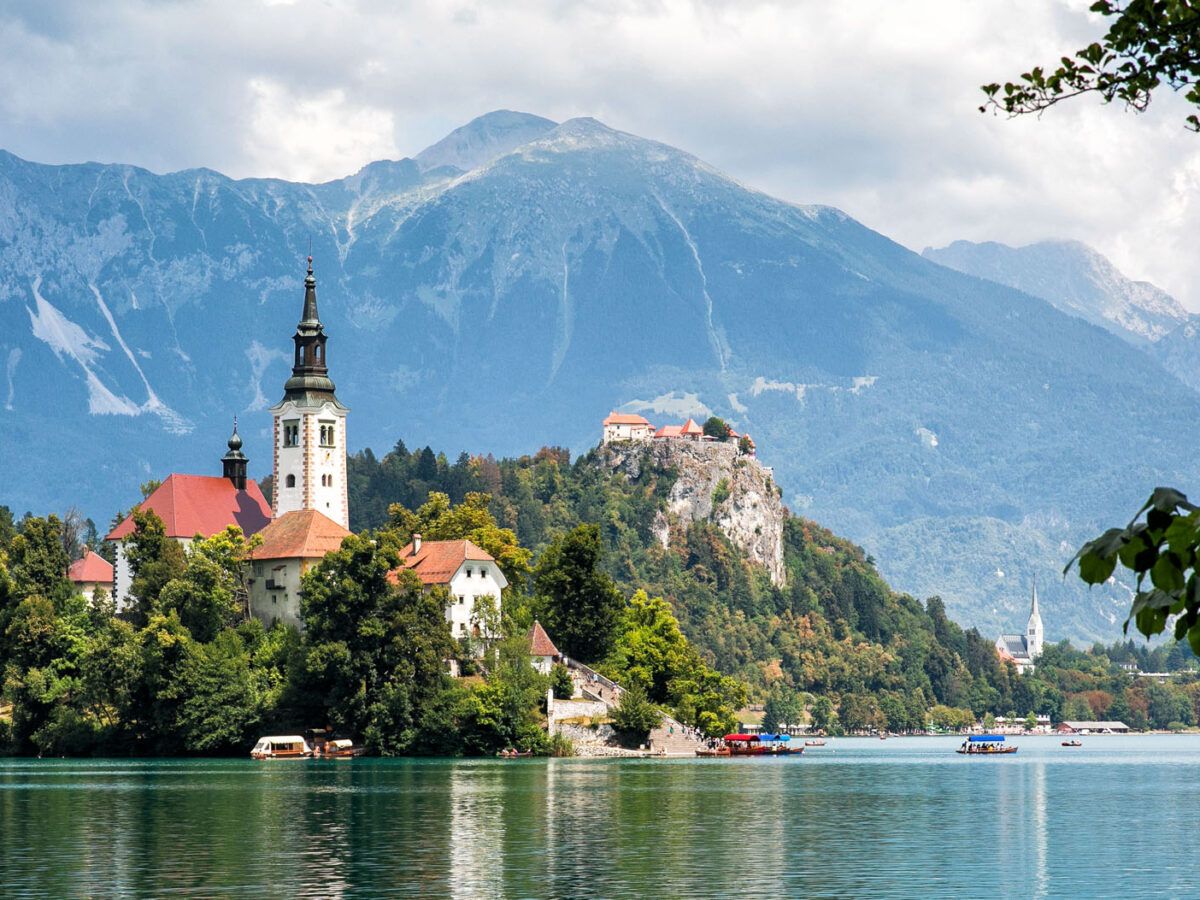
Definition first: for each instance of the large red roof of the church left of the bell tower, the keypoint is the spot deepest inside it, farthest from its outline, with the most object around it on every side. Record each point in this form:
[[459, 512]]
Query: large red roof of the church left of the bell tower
[[205, 506]]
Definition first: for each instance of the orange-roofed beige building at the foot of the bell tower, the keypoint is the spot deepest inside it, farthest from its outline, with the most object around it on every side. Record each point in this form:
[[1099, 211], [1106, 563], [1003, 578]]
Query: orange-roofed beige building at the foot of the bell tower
[[291, 545]]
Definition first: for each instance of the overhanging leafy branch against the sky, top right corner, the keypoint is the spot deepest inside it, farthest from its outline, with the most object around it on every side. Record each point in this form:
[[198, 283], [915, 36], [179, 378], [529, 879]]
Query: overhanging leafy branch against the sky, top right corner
[[1150, 44]]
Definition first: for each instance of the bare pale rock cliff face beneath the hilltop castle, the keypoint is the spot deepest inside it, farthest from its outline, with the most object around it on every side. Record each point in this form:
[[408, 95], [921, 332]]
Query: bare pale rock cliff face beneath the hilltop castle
[[715, 484]]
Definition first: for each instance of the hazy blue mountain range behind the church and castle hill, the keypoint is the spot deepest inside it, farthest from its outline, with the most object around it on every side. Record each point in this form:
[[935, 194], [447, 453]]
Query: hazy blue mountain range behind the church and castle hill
[[511, 285]]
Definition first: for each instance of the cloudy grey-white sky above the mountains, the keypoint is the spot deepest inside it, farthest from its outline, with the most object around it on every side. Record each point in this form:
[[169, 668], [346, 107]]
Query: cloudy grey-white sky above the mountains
[[868, 105]]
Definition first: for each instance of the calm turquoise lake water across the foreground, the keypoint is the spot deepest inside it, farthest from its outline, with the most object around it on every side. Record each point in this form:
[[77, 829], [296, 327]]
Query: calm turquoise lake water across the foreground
[[903, 818]]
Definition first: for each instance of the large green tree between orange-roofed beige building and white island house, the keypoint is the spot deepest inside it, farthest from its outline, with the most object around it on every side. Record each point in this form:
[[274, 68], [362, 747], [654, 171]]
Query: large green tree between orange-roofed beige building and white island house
[[376, 650]]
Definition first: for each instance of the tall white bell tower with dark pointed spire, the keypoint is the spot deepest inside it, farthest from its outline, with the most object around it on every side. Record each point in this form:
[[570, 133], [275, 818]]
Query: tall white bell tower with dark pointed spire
[[310, 427]]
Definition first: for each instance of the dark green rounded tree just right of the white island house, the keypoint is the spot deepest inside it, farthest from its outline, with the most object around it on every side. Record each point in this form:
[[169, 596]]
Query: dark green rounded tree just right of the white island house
[[579, 602]]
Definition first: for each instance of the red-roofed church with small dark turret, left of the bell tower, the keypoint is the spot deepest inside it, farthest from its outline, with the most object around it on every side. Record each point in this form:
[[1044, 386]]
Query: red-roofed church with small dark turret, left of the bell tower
[[196, 506]]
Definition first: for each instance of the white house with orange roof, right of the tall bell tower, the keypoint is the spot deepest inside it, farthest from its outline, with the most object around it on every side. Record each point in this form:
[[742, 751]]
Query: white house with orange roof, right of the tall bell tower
[[466, 572]]
